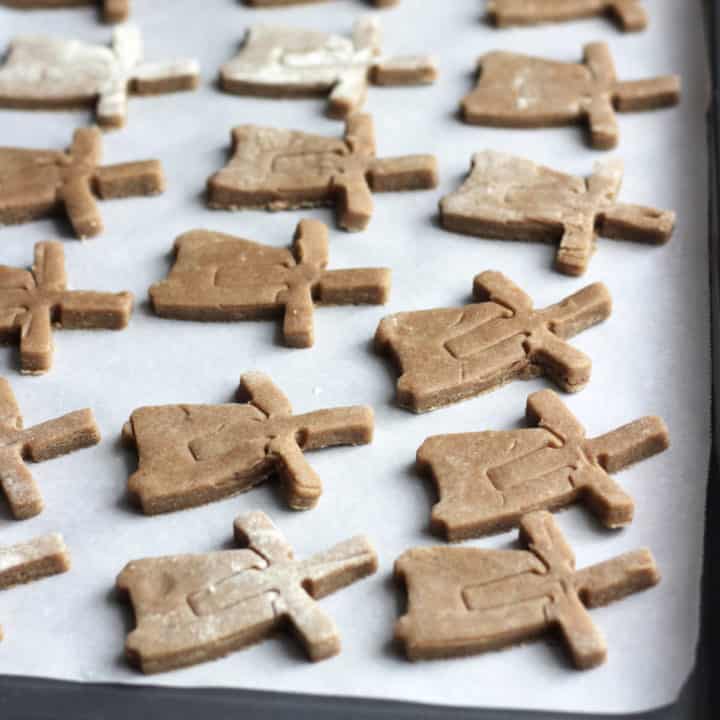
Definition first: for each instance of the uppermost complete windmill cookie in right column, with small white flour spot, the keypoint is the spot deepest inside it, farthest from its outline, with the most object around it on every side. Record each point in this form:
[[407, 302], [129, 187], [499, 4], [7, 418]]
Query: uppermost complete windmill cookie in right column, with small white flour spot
[[520, 91]]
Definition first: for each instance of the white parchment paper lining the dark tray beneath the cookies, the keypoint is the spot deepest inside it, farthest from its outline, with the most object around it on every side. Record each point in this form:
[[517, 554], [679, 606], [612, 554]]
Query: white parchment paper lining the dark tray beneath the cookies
[[652, 356]]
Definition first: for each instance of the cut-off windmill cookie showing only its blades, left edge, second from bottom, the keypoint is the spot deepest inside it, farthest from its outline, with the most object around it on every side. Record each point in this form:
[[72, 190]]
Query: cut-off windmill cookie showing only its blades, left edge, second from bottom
[[45, 441]]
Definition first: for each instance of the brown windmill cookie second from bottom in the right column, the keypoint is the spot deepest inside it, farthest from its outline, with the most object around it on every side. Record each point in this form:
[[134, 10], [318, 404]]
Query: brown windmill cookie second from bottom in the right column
[[488, 480]]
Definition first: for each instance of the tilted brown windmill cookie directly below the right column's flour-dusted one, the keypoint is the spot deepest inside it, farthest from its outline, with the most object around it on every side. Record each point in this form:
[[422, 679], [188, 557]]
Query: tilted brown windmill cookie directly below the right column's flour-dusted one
[[449, 354]]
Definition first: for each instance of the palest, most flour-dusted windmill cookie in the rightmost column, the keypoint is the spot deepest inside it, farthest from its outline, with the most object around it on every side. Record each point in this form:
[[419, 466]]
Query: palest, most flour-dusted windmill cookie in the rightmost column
[[510, 198]]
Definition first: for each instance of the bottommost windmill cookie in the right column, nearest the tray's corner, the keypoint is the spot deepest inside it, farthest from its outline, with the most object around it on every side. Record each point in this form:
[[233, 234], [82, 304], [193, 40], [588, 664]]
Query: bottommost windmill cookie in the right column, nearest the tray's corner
[[463, 601]]
